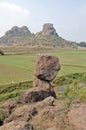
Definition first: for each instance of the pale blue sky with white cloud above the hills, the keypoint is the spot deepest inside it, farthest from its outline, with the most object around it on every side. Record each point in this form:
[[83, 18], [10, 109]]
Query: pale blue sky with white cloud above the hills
[[67, 16]]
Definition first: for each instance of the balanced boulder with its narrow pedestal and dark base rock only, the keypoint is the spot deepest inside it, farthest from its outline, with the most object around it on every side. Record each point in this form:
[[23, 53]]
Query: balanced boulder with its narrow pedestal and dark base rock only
[[46, 69]]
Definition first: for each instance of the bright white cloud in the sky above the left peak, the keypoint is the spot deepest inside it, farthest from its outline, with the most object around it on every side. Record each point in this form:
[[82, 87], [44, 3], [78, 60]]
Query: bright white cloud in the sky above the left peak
[[12, 14]]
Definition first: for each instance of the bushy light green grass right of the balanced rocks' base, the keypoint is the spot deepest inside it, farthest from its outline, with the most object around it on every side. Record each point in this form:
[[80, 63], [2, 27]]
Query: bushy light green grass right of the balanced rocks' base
[[72, 92]]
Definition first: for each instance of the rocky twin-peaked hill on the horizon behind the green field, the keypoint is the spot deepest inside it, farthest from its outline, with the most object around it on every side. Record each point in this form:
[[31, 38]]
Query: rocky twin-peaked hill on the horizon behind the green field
[[47, 37]]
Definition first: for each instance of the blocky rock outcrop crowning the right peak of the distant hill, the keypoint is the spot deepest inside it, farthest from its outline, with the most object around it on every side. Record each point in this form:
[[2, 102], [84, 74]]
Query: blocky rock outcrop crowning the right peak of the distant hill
[[48, 29]]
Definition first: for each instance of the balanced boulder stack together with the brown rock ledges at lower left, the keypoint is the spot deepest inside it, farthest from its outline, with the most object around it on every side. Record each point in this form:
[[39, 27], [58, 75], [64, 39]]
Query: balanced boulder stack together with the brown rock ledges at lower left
[[29, 103]]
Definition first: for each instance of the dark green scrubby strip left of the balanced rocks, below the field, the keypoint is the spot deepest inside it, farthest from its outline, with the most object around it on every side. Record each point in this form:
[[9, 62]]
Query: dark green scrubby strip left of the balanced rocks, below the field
[[13, 89]]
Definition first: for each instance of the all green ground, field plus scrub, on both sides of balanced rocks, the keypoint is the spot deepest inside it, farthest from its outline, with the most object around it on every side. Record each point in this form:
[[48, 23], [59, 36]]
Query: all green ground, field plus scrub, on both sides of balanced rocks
[[16, 74]]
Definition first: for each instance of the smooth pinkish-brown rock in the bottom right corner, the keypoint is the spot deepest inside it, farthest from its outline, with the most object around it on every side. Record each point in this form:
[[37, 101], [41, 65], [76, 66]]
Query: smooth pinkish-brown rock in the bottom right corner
[[77, 115]]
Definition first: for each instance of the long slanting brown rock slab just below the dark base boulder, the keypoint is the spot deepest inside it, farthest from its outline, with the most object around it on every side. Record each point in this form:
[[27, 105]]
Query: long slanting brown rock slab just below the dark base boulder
[[25, 112]]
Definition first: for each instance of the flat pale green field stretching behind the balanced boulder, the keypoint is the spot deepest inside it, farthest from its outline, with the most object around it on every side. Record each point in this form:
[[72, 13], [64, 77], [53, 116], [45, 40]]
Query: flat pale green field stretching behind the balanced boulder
[[17, 68]]
